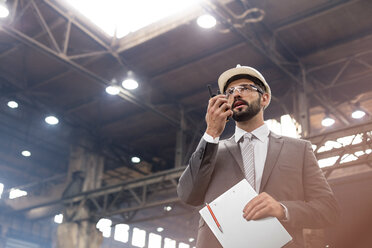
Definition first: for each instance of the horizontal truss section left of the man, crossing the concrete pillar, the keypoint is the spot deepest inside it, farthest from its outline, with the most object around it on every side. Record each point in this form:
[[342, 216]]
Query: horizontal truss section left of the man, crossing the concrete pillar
[[123, 199]]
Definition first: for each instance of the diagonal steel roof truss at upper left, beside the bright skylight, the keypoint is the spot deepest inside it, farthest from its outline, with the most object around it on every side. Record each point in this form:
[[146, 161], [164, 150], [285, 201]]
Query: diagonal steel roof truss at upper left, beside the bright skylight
[[58, 49]]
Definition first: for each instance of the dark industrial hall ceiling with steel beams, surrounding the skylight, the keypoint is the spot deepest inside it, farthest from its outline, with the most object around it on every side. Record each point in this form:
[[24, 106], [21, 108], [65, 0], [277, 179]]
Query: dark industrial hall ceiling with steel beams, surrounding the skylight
[[55, 61]]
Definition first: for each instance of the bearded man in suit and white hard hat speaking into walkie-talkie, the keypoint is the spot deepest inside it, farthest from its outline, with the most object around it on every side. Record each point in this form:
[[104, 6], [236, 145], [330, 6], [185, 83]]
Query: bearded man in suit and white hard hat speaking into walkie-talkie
[[283, 170]]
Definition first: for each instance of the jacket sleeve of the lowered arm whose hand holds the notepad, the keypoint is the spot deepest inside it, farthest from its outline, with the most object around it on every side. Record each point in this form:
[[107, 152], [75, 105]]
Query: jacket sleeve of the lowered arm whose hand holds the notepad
[[319, 207]]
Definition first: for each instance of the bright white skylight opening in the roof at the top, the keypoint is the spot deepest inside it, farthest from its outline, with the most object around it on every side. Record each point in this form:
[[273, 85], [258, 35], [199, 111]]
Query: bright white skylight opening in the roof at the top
[[124, 17]]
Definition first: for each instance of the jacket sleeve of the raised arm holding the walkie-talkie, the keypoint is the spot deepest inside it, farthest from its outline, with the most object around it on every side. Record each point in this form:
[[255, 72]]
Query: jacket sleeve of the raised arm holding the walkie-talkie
[[194, 181]]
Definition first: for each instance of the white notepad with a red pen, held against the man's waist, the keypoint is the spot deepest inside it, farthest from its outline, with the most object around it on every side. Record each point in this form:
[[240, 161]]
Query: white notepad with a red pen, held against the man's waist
[[238, 232]]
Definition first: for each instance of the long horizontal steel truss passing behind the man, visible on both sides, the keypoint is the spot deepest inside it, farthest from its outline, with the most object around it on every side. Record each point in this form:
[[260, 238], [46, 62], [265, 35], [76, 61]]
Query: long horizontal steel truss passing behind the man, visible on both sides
[[124, 200]]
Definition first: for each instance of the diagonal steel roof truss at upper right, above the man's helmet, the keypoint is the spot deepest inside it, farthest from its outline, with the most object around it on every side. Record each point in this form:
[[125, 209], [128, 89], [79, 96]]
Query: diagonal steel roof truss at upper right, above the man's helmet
[[293, 66]]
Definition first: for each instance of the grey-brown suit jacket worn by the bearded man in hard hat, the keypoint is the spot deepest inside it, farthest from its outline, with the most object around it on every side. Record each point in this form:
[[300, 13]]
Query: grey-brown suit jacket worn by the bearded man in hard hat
[[291, 175]]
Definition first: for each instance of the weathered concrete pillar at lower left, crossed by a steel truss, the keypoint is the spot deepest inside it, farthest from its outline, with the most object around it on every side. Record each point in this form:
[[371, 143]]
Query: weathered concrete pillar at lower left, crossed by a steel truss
[[85, 173]]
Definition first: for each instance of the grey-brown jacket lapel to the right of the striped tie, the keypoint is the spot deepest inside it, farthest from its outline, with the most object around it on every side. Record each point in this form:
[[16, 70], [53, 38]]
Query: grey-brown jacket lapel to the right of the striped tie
[[275, 146]]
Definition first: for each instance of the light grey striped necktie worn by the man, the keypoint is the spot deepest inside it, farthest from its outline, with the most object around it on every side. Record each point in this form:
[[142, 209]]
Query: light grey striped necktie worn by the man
[[247, 150]]
